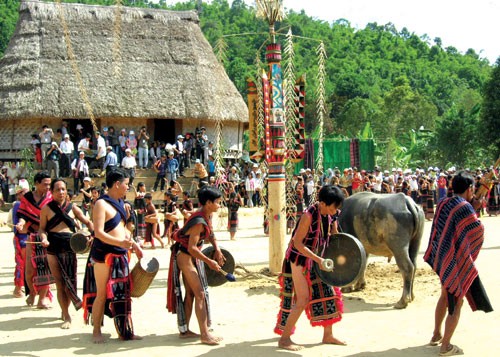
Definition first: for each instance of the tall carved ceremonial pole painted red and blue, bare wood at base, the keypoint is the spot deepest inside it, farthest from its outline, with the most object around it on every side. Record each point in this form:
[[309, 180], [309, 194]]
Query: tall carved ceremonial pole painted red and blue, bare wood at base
[[272, 11]]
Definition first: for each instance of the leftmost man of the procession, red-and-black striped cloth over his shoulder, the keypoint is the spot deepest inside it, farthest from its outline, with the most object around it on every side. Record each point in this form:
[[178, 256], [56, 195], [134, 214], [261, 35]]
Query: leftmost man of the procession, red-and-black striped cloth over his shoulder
[[38, 278]]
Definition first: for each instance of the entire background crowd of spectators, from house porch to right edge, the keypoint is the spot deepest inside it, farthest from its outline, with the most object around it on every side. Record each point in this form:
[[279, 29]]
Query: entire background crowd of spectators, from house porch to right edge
[[109, 149]]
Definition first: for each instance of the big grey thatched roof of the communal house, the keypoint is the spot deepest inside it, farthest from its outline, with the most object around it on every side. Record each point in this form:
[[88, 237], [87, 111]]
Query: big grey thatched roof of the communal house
[[168, 68]]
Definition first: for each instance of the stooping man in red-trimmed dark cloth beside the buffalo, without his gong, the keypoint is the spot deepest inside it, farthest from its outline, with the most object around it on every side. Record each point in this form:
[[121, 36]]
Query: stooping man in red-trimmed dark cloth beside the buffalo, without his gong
[[301, 289]]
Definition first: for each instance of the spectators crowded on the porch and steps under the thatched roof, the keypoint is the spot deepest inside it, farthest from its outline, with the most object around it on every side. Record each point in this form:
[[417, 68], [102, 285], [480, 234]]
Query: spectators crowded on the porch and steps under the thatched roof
[[65, 154]]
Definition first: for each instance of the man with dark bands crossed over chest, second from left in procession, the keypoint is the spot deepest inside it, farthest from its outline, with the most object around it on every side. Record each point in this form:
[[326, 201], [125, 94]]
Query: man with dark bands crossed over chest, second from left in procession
[[57, 223]]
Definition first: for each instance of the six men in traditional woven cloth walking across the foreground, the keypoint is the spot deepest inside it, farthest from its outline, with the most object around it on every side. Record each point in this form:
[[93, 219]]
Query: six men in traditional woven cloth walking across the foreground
[[45, 220]]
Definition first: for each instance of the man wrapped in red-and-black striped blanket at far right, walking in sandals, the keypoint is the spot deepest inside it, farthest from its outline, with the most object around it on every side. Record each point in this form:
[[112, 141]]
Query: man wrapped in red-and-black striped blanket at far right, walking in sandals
[[456, 239]]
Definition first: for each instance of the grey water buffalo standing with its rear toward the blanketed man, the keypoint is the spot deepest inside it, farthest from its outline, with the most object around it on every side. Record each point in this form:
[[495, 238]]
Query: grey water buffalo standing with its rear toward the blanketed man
[[387, 225]]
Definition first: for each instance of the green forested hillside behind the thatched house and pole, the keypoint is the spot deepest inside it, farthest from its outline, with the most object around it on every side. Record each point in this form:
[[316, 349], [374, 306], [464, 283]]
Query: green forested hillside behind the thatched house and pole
[[393, 80]]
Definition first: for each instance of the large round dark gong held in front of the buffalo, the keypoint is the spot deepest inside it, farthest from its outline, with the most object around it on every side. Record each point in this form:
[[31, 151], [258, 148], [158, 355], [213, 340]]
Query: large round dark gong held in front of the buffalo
[[349, 260]]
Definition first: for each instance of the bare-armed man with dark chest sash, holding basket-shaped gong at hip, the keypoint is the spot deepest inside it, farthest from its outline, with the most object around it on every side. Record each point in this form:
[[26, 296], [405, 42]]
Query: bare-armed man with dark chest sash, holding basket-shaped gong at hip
[[107, 282]]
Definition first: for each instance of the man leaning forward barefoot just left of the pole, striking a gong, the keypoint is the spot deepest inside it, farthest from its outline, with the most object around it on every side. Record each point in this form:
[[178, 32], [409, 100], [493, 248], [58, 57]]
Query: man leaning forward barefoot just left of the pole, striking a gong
[[187, 258]]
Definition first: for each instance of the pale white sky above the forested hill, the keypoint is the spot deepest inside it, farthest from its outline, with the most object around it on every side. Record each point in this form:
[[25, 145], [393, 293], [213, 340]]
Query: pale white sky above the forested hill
[[459, 23]]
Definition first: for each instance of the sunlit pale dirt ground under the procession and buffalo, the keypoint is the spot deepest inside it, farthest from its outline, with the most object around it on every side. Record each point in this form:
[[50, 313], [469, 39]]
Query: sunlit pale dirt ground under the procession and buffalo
[[244, 312]]
